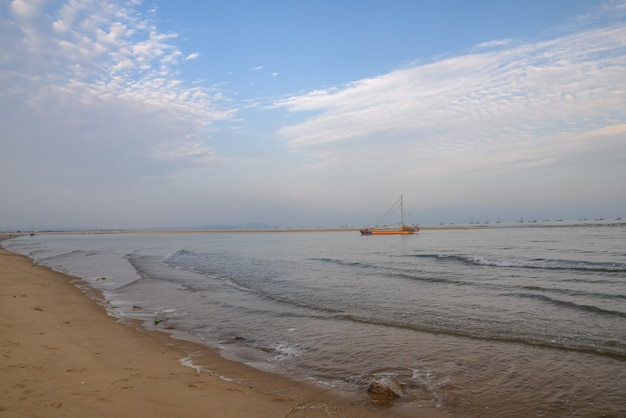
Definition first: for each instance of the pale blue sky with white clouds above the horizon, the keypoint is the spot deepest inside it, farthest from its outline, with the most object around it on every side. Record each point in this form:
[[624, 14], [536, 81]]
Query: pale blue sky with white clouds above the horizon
[[290, 113]]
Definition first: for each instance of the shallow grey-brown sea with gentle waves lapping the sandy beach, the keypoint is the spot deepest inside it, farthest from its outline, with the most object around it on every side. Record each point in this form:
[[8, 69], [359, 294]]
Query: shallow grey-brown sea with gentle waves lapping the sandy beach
[[515, 320]]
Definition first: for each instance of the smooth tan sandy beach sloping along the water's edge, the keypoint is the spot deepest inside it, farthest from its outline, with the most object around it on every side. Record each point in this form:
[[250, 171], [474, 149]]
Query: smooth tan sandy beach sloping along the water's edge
[[63, 356]]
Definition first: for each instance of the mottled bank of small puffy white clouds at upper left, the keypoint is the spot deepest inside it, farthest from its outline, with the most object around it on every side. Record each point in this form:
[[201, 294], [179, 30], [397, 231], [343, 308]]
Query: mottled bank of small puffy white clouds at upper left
[[87, 62]]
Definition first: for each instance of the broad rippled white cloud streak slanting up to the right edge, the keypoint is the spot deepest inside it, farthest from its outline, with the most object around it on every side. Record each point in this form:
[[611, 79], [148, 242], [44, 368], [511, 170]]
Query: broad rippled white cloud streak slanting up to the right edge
[[498, 101]]
